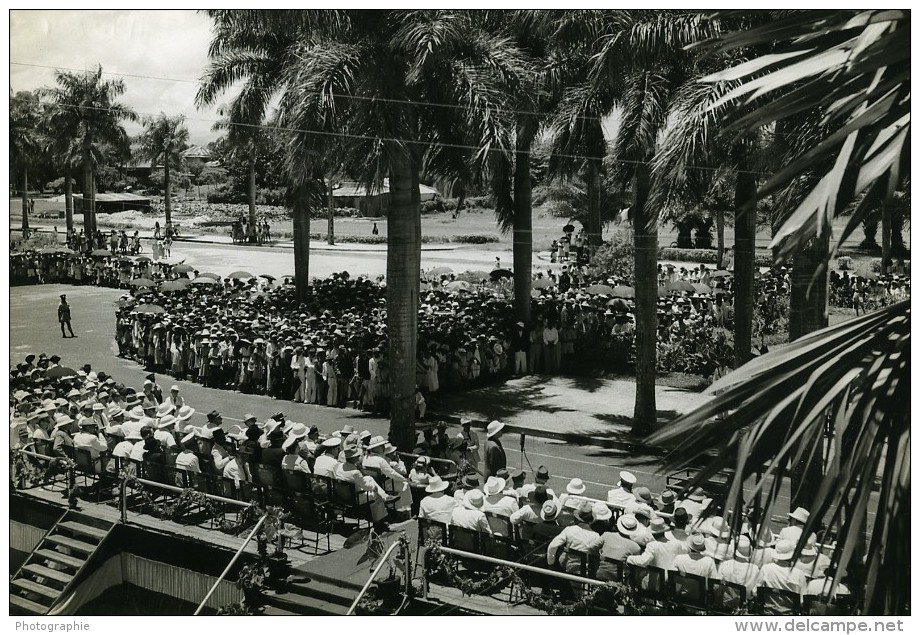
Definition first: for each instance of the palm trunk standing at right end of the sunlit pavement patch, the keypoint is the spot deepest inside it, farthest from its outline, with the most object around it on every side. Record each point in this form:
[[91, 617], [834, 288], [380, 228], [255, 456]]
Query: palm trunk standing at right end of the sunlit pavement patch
[[645, 240]]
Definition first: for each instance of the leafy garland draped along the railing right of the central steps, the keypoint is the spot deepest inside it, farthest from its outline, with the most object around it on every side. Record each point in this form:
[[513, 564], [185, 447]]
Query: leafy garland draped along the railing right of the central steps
[[612, 594]]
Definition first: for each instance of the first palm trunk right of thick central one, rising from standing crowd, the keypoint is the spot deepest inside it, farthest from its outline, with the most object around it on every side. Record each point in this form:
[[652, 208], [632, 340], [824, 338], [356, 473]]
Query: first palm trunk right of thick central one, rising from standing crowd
[[522, 248]]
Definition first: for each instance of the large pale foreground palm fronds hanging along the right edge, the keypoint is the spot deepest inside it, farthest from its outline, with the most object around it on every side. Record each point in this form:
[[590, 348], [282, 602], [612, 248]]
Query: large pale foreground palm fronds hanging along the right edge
[[853, 66]]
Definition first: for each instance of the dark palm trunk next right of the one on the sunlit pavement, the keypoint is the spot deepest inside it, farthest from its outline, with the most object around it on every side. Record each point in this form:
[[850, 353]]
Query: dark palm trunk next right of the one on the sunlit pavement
[[745, 230]]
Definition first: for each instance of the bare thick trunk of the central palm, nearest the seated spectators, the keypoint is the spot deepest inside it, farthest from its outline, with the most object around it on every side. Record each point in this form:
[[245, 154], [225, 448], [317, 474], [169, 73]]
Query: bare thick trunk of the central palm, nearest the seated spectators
[[404, 233]]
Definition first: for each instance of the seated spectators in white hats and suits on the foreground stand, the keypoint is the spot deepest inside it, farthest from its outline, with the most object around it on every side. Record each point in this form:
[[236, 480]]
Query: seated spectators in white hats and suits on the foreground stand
[[56, 411]]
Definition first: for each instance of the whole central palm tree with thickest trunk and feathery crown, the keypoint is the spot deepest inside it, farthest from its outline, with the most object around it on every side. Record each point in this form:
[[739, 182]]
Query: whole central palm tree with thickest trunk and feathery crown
[[375, 80]]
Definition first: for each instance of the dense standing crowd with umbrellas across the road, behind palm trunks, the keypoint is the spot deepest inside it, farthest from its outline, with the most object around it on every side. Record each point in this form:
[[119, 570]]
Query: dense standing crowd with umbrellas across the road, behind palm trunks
[[252, 331]]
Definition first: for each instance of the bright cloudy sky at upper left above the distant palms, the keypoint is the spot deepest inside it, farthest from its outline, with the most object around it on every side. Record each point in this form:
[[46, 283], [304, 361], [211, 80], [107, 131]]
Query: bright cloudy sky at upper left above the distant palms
[[172, 45]]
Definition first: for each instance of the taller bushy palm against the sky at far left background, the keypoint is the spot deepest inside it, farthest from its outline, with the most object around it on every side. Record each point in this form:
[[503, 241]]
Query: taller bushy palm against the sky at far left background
[[90, 103]]
